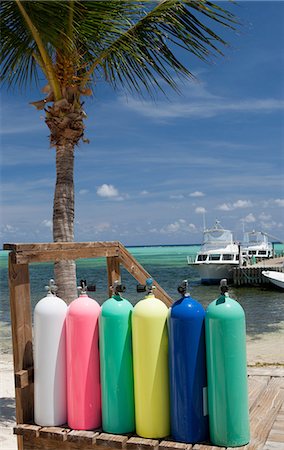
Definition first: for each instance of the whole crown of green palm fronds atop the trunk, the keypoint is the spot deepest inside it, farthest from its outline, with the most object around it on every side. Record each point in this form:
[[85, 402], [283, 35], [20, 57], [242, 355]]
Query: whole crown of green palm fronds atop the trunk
[[128, 43]]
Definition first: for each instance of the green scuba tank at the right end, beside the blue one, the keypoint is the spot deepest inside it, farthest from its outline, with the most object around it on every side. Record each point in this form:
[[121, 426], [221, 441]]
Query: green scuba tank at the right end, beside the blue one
[[225, 331]]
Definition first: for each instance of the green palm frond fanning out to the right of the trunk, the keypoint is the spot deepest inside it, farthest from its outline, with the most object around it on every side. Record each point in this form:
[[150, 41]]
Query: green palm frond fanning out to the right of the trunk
[[145, 44]]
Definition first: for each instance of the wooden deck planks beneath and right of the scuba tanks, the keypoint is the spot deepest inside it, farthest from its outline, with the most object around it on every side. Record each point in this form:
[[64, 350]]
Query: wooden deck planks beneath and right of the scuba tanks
[[266, 402]]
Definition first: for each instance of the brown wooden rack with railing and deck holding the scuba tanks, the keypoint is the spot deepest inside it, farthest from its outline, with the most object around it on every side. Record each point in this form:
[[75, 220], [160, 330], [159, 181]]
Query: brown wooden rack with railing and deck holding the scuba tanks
[[266, 386]]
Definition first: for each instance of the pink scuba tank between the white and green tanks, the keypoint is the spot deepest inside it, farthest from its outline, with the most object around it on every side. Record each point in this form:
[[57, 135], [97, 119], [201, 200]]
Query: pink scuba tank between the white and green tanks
[[83, 368]]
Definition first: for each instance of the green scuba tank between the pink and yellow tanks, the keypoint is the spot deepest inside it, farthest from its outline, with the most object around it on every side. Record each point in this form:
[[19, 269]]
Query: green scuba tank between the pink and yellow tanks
[[116, 363]]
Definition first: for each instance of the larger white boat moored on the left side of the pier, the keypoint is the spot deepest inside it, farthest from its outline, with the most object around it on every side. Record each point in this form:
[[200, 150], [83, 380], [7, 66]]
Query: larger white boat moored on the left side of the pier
[[218, 255]]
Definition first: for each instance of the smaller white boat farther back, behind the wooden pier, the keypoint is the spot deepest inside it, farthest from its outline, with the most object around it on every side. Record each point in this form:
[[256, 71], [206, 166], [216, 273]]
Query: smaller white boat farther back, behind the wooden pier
[[256, 245]]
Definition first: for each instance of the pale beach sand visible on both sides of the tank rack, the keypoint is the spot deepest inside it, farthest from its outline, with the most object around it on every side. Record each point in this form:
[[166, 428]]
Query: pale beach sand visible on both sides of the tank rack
[[265, 349]]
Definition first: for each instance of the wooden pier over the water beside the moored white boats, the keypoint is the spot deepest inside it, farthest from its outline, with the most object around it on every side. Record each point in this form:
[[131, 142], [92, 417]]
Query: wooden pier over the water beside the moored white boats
[[252, 274]]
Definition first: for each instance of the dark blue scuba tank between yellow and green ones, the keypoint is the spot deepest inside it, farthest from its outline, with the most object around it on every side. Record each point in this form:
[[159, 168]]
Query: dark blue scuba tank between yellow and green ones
[[188, 379]]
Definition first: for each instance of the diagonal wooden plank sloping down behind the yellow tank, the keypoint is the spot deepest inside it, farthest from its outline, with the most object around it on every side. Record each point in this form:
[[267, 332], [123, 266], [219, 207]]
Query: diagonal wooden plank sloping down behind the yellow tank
[[141, 275]]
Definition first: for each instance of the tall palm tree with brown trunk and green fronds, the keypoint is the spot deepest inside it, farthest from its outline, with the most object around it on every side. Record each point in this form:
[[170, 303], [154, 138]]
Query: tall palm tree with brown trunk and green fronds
[[75, 43]]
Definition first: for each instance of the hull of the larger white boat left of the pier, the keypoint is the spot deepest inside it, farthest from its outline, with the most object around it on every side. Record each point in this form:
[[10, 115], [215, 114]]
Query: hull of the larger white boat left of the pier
[[212, 273]]
